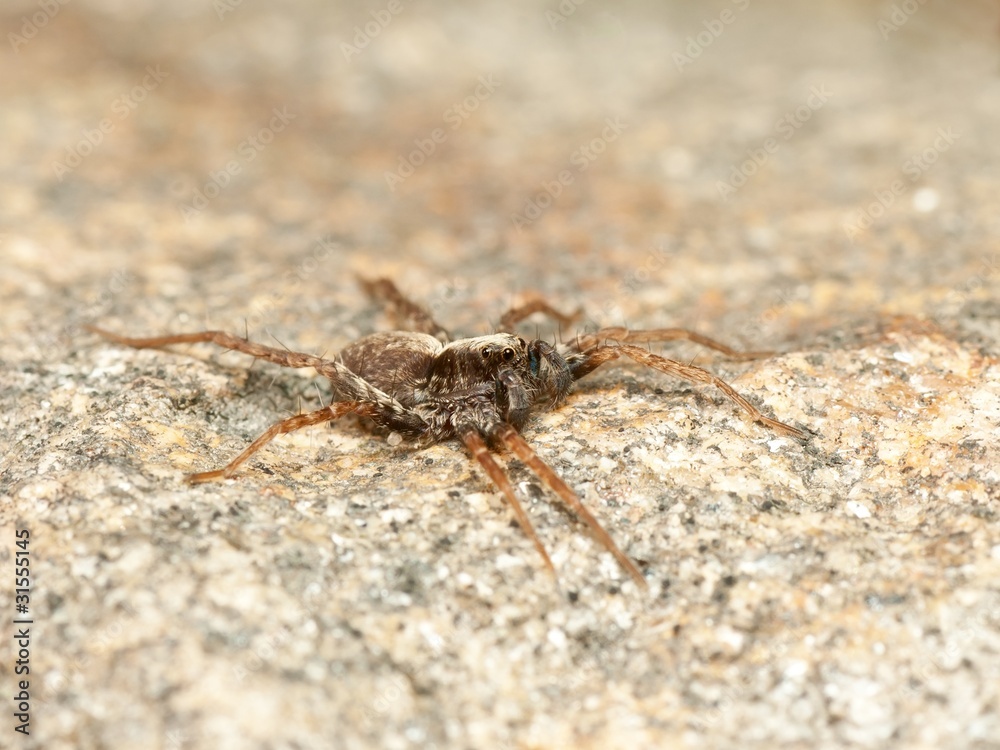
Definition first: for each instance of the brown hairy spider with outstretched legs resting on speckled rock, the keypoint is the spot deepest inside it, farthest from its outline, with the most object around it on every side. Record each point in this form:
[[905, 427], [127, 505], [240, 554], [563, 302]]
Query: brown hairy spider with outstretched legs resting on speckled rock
[[427, 387]]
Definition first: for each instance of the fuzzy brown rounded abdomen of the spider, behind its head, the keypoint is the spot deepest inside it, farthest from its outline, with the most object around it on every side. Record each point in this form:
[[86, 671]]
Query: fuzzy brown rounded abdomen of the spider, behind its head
[[397, 362]]
